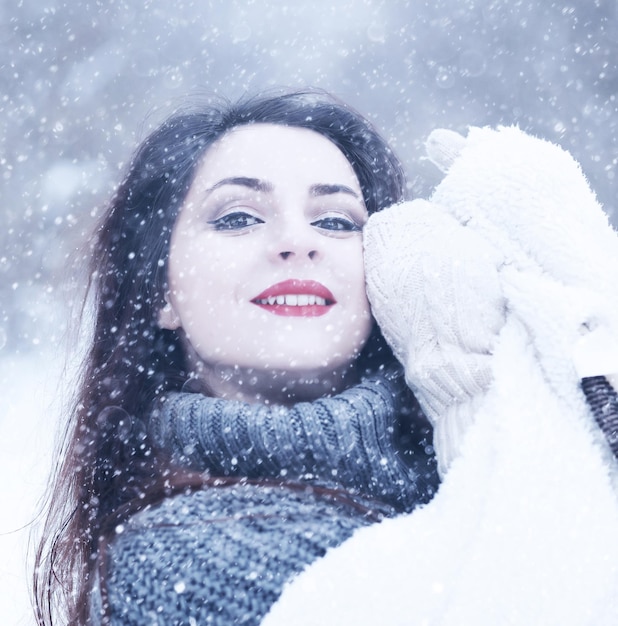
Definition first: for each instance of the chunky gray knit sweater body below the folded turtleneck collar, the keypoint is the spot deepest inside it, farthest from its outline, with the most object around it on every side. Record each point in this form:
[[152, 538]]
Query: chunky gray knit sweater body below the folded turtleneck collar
[[219, 556]]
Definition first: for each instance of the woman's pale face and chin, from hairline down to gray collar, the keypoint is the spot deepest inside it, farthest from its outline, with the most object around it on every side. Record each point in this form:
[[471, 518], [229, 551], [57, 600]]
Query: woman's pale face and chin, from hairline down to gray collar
[[265, 270]]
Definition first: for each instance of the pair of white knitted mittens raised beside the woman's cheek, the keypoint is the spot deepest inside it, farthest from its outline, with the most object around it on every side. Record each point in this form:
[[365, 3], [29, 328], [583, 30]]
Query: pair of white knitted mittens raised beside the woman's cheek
[[513, 230]]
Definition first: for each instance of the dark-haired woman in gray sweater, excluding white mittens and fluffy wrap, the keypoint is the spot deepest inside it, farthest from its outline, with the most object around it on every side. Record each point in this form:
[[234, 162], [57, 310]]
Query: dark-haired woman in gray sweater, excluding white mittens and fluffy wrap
[[239, 412]]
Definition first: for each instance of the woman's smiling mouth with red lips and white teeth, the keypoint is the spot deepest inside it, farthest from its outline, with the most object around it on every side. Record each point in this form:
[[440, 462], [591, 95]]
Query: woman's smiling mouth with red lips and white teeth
[[296, 298]]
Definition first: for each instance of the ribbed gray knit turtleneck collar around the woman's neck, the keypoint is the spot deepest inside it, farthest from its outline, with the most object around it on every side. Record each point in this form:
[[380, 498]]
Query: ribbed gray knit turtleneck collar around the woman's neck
[[345, 441]]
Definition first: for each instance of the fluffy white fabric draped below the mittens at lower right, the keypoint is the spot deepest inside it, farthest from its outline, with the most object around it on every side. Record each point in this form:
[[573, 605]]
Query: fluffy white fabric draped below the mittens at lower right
[[522, 531]]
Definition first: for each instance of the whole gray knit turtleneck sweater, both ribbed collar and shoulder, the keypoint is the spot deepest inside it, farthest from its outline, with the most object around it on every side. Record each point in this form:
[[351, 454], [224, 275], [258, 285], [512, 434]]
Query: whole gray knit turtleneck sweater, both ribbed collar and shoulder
[[221, 556]]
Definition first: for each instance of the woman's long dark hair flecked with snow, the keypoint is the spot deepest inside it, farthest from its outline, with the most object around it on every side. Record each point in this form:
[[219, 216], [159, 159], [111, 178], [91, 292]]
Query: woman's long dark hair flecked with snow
[[107, 462]]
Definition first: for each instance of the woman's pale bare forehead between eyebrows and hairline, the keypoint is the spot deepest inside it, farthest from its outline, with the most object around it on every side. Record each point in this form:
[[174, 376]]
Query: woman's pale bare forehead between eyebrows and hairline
[[276, 153]]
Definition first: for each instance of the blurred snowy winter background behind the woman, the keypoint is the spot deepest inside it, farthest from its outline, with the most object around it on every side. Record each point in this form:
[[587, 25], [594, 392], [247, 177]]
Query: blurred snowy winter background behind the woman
[[83, 80]]
